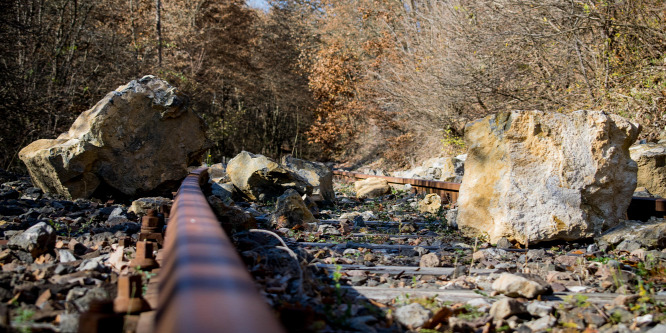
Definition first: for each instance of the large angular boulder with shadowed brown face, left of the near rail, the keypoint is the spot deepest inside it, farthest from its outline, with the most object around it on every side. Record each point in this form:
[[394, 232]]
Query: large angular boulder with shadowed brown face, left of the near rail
[[138, 139]]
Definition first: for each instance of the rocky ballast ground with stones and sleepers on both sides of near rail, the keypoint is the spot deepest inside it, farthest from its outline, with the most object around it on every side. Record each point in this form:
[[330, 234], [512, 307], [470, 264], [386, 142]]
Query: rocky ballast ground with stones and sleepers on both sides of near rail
[[377, 265]]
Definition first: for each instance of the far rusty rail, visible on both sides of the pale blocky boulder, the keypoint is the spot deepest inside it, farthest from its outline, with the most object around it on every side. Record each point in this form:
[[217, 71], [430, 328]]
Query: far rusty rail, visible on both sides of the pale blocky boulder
[[639, 208]]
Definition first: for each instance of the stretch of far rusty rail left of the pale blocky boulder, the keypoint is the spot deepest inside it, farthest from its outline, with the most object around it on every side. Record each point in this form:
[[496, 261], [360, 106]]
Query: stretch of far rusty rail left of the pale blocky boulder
[[446, 190]]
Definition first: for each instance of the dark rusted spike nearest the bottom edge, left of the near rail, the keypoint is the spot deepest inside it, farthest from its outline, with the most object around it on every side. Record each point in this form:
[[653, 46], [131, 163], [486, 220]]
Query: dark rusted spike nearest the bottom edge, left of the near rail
[[100, 318]]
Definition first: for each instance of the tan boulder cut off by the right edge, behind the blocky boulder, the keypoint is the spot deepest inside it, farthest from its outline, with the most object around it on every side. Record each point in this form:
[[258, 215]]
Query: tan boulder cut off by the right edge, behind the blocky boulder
[[651, 160]]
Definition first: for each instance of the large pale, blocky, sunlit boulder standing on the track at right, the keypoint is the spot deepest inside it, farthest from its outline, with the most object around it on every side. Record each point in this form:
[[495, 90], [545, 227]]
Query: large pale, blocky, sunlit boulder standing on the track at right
[[533, 176]]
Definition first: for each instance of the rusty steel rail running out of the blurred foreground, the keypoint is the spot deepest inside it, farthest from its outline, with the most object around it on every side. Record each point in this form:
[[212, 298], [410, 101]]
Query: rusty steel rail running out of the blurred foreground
[[204, 285]]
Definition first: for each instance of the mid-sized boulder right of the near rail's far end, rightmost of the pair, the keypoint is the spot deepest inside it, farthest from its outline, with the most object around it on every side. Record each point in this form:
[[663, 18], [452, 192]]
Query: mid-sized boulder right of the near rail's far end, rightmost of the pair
[[316, 174]]
